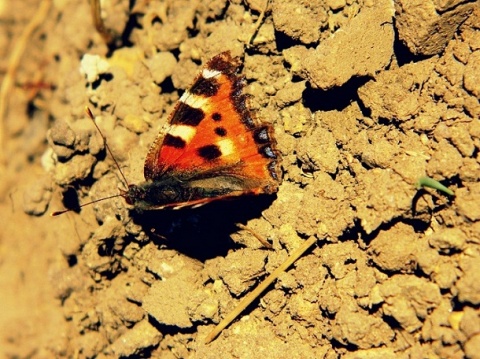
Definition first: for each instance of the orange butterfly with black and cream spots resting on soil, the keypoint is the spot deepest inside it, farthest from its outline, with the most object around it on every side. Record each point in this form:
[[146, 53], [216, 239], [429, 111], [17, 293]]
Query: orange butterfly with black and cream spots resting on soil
[[214, 148]]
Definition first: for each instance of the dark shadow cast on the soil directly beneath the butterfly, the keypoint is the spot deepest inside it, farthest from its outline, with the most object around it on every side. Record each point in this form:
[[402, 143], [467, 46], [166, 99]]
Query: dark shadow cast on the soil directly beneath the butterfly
[[203, 232]]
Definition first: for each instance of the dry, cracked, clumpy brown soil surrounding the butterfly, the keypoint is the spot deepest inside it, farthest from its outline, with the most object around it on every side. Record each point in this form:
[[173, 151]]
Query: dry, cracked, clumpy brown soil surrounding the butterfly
[[365, 100]]
